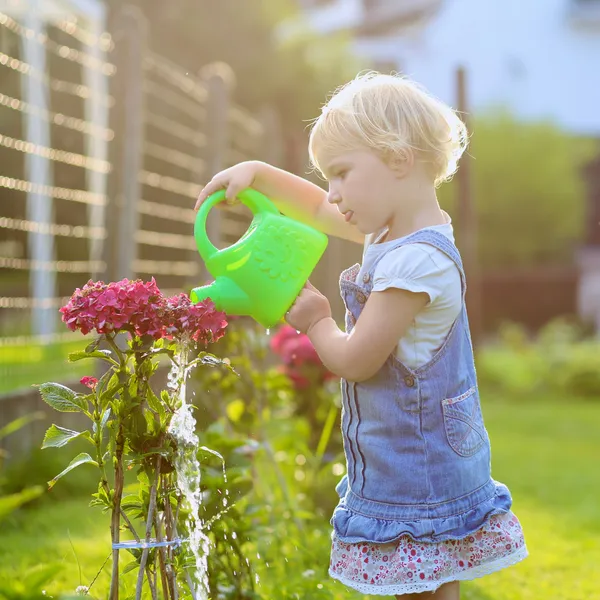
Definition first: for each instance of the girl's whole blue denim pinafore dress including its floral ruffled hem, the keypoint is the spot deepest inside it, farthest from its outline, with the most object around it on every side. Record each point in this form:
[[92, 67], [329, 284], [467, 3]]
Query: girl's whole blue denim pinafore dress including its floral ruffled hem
[[418, 506]]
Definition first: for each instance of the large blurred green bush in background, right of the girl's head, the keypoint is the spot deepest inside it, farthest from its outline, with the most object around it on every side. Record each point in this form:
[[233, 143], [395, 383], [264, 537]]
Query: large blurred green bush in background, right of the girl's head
[[528, 191]]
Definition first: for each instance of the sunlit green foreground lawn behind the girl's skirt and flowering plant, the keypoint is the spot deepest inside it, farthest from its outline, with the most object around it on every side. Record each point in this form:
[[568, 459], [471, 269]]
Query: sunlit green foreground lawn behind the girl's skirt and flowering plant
[[546, 451]]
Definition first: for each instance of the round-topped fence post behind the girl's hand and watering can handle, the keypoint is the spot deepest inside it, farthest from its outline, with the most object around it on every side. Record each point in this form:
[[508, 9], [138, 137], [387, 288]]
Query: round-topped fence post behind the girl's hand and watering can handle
[[220, 79]]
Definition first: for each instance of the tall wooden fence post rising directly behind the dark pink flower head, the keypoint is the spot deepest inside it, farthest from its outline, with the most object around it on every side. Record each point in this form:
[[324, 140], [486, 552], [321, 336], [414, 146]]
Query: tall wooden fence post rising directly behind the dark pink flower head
[[129, 30]]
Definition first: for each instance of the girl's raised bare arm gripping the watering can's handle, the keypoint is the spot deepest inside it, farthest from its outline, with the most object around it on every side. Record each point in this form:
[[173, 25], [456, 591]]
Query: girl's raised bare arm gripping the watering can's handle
[[294, 196]]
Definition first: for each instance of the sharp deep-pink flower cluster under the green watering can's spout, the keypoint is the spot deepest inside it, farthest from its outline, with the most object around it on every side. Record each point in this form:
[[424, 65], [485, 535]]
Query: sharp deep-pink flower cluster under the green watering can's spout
[[140, 308]]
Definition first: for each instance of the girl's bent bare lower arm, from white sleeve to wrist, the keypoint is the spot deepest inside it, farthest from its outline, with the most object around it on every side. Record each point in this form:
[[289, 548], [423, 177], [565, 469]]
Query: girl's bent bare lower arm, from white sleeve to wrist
[[357, 356]]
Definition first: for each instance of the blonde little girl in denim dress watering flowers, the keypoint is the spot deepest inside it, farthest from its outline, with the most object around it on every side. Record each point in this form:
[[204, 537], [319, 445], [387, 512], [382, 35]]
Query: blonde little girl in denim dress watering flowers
[[418, 509]]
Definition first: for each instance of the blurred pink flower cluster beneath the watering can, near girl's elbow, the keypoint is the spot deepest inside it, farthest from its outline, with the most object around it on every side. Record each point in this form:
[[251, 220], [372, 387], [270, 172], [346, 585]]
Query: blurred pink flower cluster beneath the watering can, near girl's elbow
[[301, 363]]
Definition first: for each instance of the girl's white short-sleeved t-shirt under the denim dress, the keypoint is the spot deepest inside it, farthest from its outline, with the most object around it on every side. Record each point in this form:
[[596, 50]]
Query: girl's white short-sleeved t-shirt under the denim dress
[[419, 267]]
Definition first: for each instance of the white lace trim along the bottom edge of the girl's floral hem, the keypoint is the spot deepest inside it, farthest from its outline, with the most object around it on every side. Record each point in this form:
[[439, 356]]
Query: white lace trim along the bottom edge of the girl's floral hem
[[431, 586]]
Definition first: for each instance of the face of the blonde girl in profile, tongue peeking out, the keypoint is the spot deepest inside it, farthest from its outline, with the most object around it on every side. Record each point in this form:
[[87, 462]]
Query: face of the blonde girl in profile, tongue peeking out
[[365, 189]]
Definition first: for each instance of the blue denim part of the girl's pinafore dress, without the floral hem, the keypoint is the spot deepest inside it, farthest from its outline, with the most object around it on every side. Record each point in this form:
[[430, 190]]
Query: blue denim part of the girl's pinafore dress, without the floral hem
[[417, 450]]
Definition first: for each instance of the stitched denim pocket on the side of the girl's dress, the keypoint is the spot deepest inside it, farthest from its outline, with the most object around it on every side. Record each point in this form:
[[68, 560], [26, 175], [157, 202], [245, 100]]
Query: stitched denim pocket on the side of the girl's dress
[[463, 422]]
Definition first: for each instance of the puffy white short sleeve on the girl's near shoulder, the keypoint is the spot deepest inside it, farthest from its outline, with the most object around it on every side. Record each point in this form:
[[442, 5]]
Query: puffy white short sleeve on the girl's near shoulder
[[418, 268]]
